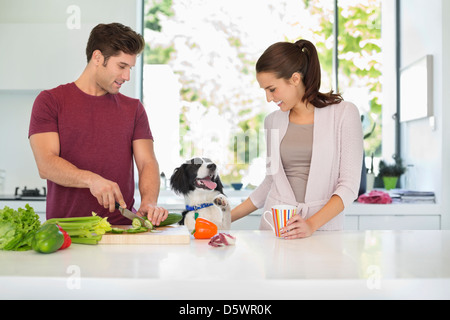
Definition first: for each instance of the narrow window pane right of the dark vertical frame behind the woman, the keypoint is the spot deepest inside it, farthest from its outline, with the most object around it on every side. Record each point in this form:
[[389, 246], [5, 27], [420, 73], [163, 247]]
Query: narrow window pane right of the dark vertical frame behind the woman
[[360, 64]]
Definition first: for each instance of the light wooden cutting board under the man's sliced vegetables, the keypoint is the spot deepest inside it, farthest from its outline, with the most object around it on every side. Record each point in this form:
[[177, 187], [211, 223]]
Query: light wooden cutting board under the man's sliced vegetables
[[173, 234]]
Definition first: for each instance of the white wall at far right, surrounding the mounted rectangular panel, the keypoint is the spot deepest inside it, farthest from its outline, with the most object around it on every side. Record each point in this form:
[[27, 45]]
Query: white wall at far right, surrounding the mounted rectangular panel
[[423, 25]]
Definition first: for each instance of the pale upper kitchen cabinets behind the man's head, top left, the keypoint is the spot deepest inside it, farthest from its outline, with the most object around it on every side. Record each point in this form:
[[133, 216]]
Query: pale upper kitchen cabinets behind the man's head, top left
[[46, 40]]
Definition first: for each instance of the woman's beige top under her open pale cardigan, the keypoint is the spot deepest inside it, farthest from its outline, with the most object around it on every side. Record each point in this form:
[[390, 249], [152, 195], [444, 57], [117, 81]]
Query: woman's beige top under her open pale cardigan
[[296, 153]]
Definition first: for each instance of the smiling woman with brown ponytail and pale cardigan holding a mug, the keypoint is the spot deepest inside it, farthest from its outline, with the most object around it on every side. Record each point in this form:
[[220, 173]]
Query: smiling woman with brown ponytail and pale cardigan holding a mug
[[314, 144]]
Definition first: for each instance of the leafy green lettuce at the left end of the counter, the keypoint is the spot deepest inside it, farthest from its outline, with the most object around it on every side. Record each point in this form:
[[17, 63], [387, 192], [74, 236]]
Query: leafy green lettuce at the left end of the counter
[[17, 228]]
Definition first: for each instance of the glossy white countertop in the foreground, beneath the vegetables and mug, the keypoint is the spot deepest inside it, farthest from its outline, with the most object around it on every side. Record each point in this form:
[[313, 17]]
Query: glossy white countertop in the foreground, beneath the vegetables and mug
[[328, 265]]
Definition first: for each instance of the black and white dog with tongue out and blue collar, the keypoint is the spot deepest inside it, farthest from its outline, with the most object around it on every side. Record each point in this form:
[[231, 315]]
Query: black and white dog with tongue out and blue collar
[[198, 181]]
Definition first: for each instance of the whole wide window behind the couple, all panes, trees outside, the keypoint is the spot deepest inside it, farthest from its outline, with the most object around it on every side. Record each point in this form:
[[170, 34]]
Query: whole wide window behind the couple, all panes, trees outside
[[199, 83]]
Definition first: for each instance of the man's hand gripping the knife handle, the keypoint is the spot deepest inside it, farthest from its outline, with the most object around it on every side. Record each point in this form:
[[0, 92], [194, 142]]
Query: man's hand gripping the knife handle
[[107, 193]]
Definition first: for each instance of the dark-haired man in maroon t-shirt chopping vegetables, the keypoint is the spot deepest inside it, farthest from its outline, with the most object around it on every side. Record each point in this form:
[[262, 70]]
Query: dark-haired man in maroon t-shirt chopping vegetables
[[85, 134]]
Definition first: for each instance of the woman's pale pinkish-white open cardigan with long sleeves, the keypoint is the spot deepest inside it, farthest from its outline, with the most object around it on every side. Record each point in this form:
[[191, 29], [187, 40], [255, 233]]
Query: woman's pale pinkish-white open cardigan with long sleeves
[[336, 163]]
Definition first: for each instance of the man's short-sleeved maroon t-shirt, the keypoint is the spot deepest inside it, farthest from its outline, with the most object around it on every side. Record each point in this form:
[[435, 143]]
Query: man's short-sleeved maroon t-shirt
[[96, 134]]
